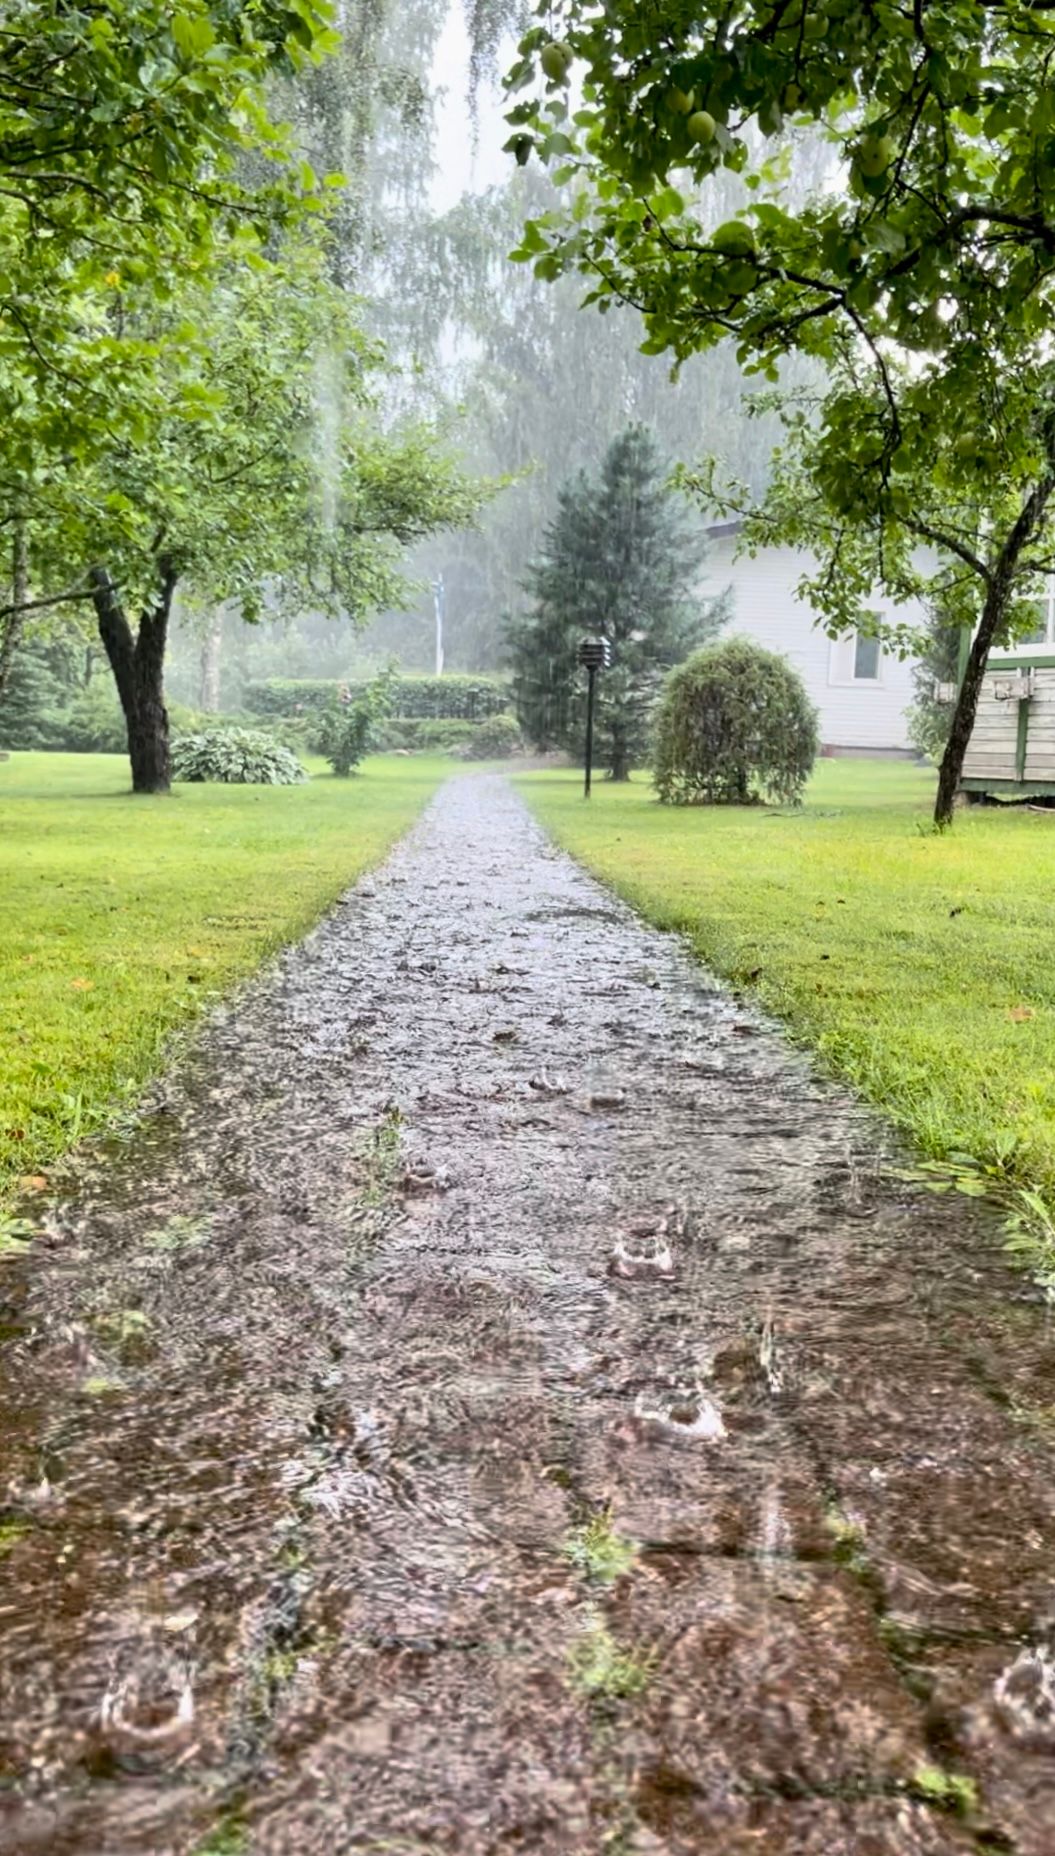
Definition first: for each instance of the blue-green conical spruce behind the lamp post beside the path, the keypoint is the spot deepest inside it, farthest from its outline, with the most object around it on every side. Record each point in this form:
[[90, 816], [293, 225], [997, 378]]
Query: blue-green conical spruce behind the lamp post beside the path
[[619, 561]]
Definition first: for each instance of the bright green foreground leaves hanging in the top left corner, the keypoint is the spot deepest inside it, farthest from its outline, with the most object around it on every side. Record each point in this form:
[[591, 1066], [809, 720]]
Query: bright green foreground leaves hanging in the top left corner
[[135, 146]]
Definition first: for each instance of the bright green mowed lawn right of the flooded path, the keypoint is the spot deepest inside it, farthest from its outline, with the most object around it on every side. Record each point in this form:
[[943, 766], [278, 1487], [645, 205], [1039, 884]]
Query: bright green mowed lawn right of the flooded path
[[922, 968]]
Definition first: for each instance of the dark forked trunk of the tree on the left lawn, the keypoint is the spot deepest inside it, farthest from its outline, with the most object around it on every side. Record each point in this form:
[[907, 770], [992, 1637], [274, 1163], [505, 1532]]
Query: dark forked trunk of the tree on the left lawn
[[138, 664]]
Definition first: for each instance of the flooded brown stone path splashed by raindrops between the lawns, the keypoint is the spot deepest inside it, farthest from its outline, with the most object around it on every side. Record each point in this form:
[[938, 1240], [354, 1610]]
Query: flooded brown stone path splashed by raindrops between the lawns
[[497, 1402]]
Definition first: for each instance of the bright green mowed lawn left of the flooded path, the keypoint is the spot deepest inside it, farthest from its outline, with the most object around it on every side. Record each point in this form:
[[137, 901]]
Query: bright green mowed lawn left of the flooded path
[[122, 918]]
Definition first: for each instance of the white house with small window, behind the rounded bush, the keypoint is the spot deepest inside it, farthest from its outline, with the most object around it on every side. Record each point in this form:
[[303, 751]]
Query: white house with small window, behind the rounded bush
[[861, 690]]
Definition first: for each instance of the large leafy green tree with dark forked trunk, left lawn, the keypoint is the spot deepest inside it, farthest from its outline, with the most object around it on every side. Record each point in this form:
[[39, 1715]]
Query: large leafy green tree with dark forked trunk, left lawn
[[174, 309]]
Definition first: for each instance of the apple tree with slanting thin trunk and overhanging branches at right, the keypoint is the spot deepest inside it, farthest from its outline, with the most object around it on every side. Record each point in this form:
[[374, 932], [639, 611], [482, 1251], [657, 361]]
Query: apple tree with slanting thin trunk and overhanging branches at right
[[918, 276]]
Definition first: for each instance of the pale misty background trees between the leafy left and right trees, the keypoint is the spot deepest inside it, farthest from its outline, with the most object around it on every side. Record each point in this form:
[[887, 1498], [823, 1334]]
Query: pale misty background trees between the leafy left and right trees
[[528, 387]]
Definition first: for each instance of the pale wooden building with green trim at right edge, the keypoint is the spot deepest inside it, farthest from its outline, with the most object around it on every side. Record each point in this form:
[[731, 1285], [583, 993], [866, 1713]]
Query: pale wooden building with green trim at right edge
[[1013, 743]]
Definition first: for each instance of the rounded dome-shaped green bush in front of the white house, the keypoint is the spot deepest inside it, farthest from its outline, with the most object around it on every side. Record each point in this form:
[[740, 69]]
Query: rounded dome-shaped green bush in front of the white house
[[735, 725]]
